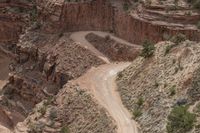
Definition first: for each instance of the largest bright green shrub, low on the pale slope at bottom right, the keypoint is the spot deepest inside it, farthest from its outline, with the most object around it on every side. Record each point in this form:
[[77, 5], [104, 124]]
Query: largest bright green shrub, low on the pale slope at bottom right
[[180, 120]]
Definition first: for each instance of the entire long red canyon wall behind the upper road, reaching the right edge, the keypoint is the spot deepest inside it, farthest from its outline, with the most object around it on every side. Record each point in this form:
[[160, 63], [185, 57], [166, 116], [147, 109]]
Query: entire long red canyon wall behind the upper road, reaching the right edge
[[101, 15]]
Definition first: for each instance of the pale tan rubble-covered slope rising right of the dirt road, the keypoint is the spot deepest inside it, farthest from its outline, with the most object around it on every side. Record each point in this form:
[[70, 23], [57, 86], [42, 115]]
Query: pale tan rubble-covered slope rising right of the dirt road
[[168, 78]]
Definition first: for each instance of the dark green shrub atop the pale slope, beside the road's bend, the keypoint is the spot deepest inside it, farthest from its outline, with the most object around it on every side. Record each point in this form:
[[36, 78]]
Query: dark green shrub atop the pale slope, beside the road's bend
[[148, 49]]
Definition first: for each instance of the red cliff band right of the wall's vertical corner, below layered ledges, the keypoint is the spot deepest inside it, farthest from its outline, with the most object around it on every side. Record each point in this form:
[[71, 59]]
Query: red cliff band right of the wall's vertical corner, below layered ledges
[[137, 30]]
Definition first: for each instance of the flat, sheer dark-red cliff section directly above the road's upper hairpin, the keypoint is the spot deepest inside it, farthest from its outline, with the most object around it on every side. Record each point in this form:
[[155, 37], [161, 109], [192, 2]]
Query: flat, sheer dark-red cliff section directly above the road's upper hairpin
[[87, 16]]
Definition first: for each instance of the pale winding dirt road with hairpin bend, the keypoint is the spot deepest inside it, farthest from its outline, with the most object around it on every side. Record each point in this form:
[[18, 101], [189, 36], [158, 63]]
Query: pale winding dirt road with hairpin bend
[[100, 82]]
